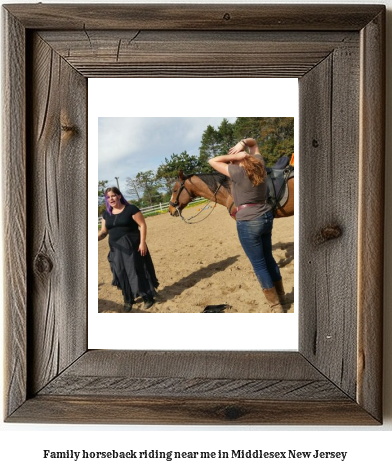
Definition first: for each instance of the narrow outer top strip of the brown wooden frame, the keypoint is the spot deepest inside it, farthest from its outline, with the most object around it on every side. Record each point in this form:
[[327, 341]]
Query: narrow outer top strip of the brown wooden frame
[[194, 17]]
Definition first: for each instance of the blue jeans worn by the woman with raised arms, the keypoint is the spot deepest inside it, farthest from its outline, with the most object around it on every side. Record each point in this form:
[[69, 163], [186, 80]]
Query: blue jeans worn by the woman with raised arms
[[256, 240]]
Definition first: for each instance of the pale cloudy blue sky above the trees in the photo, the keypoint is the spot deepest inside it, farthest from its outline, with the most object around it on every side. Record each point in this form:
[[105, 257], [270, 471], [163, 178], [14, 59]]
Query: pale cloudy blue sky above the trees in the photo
[[127, 145]]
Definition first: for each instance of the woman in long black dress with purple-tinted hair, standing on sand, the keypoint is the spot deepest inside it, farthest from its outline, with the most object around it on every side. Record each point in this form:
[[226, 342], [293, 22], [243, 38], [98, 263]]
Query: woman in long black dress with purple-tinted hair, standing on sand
[[129, 258]]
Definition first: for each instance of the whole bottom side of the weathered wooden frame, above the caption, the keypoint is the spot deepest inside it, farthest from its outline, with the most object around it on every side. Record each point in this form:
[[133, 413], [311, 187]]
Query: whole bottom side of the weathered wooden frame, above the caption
[[194, 388]]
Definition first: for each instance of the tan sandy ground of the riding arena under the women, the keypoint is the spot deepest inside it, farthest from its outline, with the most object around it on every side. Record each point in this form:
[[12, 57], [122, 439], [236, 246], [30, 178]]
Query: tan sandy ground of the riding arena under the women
[[201, 264]]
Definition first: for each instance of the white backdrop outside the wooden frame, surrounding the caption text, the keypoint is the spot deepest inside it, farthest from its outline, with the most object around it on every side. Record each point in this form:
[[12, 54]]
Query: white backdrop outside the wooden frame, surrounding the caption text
[[368, 448]]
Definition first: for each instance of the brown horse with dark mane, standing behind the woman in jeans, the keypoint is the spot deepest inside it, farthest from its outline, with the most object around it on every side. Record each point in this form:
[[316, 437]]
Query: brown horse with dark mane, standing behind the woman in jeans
[[216, 188]]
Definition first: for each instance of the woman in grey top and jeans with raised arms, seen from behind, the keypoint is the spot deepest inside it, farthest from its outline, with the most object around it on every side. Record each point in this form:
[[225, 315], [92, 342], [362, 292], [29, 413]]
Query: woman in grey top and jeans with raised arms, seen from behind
[[254, 215]]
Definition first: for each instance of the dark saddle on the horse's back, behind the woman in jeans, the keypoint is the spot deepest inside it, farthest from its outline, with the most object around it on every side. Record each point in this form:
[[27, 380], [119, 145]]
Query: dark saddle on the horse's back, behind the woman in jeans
[[277, 178]]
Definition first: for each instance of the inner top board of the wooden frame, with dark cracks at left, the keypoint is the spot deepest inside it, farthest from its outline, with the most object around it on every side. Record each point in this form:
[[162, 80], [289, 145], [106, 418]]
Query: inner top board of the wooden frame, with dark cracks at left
[[193, 53]]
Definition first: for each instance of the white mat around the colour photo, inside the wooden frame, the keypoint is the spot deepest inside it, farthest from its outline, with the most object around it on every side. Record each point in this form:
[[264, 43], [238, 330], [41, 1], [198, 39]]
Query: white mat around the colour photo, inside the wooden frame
[[179, 98]]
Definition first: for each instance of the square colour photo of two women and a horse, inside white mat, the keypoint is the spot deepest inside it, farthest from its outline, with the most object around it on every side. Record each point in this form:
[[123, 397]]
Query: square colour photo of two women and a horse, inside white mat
[[199, 217]]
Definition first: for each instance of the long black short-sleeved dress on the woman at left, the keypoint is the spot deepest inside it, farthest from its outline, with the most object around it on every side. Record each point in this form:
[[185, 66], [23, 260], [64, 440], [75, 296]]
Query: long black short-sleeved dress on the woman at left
[[132, 273]]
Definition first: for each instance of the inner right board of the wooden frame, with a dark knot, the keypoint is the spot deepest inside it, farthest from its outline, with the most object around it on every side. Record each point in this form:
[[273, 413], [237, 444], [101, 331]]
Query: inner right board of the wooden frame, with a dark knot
[[329, 199]]
